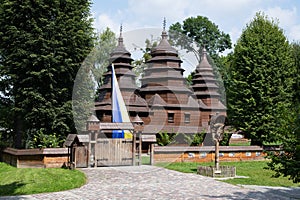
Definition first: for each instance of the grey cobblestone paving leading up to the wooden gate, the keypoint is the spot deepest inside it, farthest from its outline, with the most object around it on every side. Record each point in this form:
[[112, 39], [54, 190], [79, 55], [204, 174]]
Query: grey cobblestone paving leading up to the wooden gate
[[149, 182]]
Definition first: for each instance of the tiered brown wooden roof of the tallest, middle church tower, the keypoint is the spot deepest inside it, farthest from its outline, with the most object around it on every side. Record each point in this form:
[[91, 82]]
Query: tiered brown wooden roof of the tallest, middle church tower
[[164, 74]]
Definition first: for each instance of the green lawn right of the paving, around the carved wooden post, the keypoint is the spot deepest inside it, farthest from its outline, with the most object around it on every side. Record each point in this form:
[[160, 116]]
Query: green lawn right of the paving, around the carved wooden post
[[252, 169]]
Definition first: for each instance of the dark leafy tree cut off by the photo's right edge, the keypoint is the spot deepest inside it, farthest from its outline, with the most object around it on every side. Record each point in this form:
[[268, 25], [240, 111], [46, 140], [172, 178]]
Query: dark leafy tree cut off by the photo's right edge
[[287, 163]]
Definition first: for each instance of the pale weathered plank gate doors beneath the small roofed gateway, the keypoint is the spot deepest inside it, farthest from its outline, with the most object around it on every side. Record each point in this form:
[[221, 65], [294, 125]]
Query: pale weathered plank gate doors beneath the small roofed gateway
[[113, 152]]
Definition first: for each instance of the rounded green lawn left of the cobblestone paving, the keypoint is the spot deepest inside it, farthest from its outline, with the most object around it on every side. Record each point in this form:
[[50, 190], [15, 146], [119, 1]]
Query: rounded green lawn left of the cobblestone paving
[[20, 181]]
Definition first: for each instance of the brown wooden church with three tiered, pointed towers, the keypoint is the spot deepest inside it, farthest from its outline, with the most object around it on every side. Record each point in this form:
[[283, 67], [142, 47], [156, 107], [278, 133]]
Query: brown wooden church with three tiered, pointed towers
[[164, 101]]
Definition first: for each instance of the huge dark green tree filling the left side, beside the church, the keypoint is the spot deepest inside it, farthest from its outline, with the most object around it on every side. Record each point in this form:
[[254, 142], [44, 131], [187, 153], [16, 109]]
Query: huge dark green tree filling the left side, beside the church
[[42, 45]]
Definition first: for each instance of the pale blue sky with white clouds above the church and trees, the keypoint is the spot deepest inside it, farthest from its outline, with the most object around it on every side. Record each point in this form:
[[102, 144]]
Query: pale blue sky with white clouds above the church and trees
[[230, 15]]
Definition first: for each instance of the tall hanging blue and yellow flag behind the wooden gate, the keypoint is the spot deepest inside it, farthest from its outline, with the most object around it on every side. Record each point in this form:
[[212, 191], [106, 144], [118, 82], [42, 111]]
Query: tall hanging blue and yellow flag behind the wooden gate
[[119, 111]]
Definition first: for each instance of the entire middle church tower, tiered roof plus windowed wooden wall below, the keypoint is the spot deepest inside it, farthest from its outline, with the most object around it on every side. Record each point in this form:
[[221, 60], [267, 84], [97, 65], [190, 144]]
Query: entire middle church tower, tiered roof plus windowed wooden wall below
[[171, 102]]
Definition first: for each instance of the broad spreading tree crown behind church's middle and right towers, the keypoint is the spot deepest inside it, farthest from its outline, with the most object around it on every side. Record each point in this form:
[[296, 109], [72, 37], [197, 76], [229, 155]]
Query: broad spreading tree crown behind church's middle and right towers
[[196, 32]]
